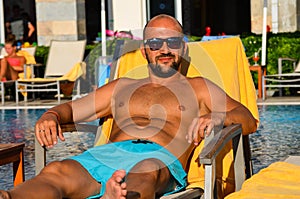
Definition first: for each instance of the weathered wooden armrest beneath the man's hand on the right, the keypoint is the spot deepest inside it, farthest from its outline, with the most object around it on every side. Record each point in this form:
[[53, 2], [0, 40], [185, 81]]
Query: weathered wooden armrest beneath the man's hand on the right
[[221, 138]]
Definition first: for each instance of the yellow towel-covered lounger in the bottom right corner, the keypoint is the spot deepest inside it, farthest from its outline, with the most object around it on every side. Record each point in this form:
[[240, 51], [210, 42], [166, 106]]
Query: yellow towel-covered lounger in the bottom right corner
[[278, 180]]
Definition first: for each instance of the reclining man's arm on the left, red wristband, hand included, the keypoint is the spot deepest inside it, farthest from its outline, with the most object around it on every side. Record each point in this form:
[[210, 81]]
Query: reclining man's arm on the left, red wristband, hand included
[[95, 105]]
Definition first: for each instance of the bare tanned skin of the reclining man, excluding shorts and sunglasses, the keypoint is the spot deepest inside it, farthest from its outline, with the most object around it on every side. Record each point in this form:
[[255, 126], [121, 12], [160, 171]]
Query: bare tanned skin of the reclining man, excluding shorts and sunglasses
[[173, 112]]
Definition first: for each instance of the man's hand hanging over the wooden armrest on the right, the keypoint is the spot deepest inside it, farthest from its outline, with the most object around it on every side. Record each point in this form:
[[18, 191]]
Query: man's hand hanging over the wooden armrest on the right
[[202, 126]]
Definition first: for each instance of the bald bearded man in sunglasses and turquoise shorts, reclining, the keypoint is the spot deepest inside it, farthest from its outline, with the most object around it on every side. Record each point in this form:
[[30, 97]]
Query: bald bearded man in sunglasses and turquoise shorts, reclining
[[158, 121]]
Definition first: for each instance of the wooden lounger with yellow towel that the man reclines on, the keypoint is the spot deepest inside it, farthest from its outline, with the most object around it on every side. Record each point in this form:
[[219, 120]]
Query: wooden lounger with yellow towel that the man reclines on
[[223, 62]]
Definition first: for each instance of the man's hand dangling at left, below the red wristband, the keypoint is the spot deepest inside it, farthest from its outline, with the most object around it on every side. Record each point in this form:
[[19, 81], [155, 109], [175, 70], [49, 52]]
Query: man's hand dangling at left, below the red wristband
[[47, 129]]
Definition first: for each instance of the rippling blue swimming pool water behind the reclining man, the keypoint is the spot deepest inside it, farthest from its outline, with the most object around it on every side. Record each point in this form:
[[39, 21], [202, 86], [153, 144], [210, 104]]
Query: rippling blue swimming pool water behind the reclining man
[[277, 137]]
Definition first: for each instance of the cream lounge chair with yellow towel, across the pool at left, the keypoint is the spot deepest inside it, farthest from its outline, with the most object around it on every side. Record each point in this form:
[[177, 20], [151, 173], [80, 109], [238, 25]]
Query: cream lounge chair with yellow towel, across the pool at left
[[63, 64]]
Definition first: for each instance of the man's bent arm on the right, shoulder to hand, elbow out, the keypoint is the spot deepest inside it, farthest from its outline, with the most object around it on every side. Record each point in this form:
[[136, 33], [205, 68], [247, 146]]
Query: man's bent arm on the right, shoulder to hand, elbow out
[[217, 108]]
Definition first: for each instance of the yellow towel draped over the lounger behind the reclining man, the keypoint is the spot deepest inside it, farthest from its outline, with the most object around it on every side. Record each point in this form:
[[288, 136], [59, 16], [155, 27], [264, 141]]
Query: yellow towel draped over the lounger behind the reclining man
[[223, 62]]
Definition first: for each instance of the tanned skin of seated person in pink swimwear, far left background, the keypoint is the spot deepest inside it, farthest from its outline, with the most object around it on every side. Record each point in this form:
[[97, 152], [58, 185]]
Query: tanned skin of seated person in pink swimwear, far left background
[[8, 71]]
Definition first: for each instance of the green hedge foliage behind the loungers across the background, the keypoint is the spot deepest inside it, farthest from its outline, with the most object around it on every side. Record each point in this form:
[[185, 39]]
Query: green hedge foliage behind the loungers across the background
[[278, 45]]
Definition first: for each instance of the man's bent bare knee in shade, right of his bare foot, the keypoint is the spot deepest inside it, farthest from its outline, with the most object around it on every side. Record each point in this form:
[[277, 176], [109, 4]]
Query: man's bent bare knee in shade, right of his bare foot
[[148, 179]]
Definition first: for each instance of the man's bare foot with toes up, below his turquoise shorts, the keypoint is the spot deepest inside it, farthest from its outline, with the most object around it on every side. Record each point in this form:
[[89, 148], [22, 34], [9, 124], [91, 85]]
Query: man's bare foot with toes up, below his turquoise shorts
[[115, 189]]
